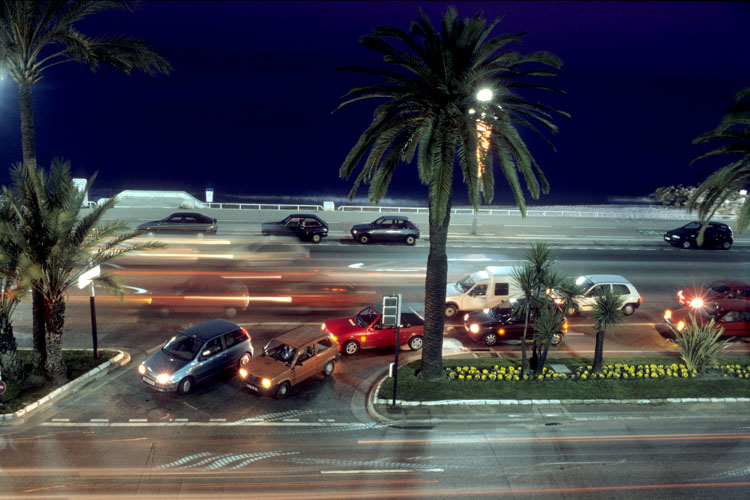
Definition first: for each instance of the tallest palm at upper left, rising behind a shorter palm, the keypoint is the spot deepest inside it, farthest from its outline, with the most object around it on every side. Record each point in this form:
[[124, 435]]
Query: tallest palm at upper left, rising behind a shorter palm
[[38, 34]]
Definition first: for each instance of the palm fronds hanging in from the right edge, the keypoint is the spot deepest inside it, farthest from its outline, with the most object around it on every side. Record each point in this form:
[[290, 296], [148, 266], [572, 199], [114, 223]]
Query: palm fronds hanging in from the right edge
[[733, 137]]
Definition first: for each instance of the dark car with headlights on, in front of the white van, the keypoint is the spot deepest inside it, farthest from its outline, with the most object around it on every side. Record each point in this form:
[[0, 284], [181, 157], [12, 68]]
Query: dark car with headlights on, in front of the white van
[[505, 322]]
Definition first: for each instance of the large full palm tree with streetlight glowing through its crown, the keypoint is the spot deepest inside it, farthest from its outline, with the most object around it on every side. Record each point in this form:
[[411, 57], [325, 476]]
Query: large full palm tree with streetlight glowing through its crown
[[429, 89]]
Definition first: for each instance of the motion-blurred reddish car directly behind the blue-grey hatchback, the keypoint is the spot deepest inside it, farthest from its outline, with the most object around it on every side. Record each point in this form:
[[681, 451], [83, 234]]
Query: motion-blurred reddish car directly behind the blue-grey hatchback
[[203, 293]]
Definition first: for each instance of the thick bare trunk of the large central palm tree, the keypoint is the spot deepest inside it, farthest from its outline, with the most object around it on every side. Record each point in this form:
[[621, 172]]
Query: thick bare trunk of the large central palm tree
[[436, 280]]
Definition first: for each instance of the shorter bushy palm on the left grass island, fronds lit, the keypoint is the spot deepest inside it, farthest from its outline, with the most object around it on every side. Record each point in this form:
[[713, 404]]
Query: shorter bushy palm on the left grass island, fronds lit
[[61, 244]]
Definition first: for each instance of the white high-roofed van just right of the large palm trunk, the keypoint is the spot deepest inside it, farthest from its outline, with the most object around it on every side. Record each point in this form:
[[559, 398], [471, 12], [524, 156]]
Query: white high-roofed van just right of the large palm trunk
[[480, 290]]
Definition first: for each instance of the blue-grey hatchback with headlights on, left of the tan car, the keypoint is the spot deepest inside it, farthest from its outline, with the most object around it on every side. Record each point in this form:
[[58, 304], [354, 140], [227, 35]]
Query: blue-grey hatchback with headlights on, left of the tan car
[[196, 354]]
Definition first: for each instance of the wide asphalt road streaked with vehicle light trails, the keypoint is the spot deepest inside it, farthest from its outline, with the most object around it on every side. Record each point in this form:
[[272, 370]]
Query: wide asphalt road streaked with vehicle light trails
[[117, 438]]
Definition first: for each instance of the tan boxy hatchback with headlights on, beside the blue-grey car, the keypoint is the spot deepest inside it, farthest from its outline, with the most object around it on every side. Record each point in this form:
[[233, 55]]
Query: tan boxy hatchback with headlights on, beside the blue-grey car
[[290, 359]]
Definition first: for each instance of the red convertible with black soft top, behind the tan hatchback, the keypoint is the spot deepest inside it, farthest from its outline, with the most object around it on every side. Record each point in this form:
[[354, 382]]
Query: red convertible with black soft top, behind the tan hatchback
[[365, 330]]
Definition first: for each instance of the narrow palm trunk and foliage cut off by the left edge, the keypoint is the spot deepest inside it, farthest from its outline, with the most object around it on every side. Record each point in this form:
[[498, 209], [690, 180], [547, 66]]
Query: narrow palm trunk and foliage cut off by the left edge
[[12, 288]]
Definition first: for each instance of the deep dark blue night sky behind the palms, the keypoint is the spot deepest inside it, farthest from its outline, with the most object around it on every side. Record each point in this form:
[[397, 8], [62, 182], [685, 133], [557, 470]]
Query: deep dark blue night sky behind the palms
[[247, 109]]
